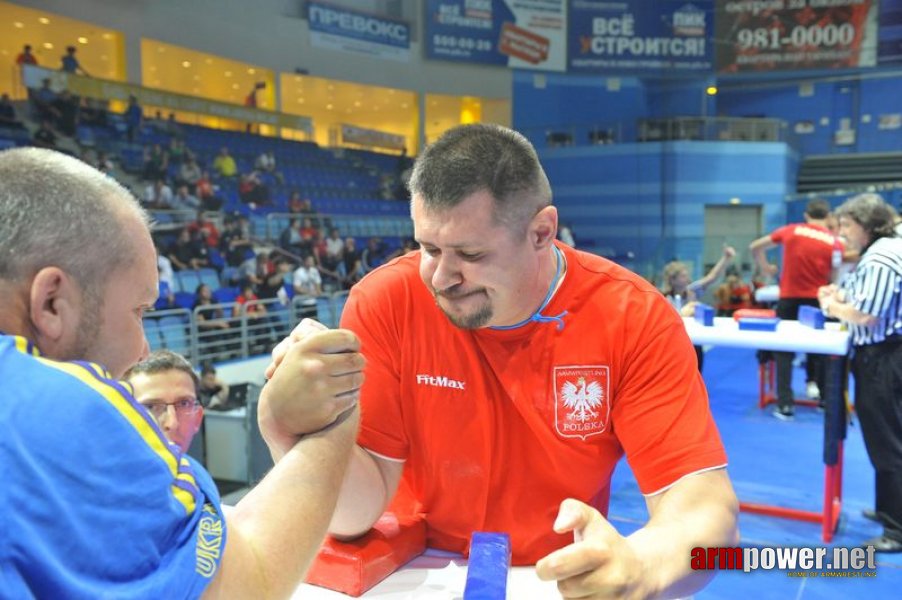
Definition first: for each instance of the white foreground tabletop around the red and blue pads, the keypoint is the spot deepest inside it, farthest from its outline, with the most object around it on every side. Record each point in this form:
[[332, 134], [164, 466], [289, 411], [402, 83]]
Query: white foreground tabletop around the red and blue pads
[[438, 575]]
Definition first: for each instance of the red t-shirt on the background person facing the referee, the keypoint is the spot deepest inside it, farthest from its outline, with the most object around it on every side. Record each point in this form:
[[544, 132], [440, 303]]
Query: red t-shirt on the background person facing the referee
[[808, 257]]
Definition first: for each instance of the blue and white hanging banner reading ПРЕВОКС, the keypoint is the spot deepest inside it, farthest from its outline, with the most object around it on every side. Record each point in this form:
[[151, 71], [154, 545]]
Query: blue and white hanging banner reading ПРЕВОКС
[[340, 29]]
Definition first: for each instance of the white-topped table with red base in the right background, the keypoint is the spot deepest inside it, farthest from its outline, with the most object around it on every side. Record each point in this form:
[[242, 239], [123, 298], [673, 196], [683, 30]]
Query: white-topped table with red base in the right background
[[791, 336]]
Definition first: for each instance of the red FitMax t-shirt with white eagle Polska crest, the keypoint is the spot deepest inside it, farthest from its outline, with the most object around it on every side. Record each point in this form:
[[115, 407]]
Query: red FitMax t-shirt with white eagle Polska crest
[[496, 428]]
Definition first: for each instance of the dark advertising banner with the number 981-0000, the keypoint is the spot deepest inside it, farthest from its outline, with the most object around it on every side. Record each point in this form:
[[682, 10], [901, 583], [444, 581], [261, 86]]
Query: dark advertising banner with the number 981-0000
[[769, 35]]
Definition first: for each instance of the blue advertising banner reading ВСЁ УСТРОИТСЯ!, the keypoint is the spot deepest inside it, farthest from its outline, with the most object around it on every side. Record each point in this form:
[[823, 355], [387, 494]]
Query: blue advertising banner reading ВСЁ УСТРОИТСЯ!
[[640, 36]]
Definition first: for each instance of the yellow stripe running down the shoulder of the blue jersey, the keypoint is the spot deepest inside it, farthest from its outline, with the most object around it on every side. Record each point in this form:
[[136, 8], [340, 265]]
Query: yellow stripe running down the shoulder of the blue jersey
[[144, 429]]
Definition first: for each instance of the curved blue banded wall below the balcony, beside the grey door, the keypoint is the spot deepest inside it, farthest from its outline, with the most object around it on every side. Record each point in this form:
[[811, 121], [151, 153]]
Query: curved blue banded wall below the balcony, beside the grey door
[[649, 198]]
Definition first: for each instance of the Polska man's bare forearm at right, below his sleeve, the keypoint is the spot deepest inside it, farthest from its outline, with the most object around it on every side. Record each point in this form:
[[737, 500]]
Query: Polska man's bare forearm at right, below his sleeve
[[681, 523]]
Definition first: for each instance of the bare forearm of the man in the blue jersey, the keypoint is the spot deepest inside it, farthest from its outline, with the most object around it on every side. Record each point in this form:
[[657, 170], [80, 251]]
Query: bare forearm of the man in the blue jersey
[[276, 530]]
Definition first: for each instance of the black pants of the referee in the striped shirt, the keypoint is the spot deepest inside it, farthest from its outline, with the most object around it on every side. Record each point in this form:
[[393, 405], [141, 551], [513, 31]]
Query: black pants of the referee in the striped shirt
[[878, 402]]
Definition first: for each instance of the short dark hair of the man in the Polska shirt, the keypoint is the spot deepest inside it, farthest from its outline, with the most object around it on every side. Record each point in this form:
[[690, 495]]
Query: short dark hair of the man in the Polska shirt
[[482, 157]]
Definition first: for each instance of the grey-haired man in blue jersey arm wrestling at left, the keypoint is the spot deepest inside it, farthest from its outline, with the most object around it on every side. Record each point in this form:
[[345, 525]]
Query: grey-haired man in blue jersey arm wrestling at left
[[95, 501]]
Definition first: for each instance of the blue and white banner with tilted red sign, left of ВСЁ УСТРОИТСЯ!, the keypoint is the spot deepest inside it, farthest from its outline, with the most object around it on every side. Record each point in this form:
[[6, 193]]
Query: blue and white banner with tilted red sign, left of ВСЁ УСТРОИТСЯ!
[[526, 34]]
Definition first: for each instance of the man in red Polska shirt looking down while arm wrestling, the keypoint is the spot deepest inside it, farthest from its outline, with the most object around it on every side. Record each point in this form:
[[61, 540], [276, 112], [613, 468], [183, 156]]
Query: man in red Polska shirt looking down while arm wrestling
[[507, 374]]
